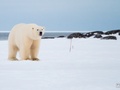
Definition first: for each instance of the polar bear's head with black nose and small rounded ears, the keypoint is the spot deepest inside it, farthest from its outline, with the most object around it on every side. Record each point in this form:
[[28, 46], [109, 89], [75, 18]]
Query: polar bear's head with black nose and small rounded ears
[[37, 31]]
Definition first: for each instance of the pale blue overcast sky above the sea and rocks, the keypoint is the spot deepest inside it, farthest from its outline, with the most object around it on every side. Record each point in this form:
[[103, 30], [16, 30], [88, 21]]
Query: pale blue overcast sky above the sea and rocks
[[61, 15]]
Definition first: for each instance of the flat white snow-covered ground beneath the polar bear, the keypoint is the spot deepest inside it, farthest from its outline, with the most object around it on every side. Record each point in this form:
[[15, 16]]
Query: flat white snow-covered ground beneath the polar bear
[[92, 64]]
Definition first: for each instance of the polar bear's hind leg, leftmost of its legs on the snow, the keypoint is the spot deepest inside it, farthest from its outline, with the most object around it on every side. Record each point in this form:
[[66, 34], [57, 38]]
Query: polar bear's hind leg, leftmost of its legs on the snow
[[12, 53]]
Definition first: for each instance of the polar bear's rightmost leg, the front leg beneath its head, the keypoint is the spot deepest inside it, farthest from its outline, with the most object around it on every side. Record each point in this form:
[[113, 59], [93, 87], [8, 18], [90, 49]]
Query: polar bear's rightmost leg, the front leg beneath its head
[[34, 50]]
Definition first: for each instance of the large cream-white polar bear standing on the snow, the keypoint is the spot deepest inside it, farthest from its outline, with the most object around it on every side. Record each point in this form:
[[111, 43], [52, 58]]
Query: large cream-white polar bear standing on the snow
[[25, 38]]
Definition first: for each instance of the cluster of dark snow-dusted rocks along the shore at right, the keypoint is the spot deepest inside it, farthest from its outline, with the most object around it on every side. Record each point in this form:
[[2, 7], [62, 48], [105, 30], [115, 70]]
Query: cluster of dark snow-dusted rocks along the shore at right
[[108, 35]]
